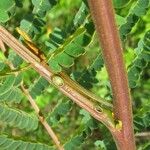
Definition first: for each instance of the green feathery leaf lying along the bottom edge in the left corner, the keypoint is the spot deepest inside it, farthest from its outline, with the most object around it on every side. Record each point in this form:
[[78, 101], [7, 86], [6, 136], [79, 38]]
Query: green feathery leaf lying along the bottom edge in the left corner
[[11, 144]]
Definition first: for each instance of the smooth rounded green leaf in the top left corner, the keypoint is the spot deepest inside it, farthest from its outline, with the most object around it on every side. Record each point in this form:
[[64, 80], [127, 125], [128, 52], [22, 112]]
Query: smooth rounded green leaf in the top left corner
[[6, 9]]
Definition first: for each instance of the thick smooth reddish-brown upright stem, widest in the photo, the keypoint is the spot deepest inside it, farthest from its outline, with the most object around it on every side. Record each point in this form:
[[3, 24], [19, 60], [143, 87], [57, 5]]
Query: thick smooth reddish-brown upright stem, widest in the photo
[[103, 15]]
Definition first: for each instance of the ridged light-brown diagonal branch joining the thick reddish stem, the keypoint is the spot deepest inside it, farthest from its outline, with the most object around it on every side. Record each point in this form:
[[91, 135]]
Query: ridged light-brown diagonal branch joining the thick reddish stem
[[69, 88]]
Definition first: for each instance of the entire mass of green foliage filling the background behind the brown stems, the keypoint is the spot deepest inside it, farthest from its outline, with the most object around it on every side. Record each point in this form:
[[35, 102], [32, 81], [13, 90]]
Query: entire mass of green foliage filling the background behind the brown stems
[[71, 47]]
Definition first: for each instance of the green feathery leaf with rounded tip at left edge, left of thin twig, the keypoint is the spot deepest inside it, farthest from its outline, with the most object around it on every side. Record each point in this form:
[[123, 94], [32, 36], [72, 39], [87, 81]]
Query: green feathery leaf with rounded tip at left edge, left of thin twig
[[17, 118]]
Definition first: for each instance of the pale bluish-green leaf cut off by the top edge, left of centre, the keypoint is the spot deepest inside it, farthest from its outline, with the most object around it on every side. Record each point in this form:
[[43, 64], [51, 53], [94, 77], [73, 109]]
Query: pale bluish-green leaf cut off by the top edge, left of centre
[[42, 6]]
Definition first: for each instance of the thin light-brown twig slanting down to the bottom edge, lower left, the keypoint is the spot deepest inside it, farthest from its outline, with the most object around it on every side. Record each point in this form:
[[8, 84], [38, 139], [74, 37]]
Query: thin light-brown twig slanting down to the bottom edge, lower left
[[42, 119]]
